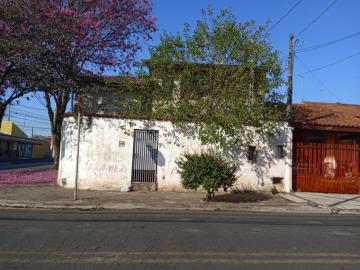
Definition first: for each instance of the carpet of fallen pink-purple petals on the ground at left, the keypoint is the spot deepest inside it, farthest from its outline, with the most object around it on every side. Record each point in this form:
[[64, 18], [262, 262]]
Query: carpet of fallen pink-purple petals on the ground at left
[[28, 177]]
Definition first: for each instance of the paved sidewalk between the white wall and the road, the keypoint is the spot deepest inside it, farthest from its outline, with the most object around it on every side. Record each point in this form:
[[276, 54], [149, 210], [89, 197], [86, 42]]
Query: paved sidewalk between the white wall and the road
[[54, 197]]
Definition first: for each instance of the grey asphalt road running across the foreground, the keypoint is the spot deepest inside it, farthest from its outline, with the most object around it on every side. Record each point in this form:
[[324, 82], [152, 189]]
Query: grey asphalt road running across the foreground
[[123, 240]]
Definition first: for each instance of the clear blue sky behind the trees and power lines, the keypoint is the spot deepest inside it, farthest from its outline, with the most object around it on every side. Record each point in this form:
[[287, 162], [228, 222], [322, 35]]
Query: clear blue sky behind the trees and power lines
[[336, 83]]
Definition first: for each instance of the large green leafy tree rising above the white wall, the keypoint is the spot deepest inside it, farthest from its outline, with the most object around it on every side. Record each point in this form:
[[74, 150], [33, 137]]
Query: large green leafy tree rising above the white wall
[[220, 77]]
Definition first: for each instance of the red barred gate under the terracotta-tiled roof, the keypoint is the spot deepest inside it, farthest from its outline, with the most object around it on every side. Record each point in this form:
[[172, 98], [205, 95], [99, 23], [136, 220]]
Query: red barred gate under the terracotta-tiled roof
[[330, 168]]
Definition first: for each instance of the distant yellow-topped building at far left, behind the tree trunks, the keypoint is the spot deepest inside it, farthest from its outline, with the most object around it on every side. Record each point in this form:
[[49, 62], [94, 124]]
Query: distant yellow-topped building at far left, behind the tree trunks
[[15, 144]]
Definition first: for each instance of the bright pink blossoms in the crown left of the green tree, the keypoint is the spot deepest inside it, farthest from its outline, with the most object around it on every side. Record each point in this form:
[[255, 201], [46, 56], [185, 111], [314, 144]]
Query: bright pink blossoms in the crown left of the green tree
[[99, 28]]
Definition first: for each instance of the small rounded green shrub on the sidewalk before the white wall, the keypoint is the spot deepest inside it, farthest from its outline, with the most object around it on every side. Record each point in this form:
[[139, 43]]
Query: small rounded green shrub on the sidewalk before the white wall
[[209, 170]]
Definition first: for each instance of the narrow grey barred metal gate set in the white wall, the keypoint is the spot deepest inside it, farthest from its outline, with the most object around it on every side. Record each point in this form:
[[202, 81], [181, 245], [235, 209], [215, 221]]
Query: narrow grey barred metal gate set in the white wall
[[145, 153]]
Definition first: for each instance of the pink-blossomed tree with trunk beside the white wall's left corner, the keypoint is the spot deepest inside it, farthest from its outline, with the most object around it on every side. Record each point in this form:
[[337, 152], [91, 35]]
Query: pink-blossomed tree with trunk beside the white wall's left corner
[[82, 38]]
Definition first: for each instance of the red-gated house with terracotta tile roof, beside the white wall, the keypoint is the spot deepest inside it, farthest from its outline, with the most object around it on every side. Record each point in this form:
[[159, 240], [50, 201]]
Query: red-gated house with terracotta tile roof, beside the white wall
[[326, 147]]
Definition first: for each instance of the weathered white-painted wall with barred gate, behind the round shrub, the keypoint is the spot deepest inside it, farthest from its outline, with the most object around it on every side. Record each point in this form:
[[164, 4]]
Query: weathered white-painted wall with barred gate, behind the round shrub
[[115, 155]]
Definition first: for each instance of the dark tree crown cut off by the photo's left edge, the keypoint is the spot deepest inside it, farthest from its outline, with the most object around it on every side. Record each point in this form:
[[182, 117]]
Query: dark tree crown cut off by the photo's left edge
[[17, 52]]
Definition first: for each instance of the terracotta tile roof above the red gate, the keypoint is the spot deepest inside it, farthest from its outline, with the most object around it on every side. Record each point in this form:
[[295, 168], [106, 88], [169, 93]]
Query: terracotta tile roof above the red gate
[[327, 114]]
